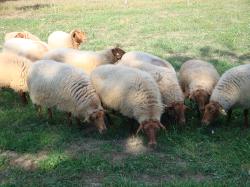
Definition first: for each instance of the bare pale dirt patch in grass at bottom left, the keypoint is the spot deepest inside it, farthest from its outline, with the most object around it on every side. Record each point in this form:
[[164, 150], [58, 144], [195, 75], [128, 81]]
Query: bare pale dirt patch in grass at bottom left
[[25, 161]]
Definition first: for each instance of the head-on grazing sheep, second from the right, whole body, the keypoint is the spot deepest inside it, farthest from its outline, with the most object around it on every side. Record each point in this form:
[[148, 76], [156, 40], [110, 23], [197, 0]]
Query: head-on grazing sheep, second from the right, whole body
[[198, 79]]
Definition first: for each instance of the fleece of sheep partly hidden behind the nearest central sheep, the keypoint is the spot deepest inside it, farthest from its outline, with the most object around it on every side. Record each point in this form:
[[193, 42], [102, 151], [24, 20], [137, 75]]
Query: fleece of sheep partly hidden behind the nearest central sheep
[[165, 77]]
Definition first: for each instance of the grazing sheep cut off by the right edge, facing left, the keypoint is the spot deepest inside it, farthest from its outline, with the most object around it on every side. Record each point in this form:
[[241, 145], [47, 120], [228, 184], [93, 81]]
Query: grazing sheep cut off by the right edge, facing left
[[231, 91]]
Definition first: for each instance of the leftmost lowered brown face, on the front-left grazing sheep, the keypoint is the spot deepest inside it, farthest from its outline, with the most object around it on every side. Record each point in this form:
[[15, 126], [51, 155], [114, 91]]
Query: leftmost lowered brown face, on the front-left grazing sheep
[[97, 118]]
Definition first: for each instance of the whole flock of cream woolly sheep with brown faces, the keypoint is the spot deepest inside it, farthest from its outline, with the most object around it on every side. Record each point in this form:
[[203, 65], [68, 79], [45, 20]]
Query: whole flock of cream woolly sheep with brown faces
[[139, 85]]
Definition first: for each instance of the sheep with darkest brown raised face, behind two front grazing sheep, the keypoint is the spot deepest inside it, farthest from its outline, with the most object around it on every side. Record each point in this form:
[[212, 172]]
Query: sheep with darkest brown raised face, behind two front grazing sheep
[[86, 60]]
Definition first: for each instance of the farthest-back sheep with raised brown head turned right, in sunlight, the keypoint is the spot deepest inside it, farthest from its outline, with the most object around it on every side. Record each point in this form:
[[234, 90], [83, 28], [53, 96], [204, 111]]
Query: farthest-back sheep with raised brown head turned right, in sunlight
[[60, 39]]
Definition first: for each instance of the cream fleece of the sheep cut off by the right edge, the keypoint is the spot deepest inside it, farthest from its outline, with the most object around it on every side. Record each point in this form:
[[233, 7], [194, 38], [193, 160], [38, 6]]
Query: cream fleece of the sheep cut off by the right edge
[[233, 88]]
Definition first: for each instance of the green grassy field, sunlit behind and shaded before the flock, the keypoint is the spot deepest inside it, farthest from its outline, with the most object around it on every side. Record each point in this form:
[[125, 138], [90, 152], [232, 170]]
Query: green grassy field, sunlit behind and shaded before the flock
[[38, 152]]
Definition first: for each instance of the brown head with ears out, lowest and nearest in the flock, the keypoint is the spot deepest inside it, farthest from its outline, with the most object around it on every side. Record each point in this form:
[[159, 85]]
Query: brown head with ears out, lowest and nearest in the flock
[[150, 128]]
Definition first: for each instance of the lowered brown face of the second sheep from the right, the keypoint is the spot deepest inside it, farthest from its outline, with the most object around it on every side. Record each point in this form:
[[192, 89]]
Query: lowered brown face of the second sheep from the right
[[201, 97]]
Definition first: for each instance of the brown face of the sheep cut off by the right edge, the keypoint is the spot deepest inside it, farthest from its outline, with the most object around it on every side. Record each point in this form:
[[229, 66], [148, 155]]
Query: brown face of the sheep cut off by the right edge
[[212, 111]]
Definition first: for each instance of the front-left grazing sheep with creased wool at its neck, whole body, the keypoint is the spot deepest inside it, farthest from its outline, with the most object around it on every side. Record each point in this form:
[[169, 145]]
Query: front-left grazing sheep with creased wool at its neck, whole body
[[53, 84]]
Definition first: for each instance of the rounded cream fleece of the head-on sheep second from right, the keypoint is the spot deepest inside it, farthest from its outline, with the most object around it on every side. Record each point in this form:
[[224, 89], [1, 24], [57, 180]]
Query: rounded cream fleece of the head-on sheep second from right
[[198, 74]]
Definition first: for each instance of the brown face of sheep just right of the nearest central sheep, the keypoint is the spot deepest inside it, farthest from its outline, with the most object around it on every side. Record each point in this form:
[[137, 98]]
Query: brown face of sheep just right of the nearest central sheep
[[177, 110]]
